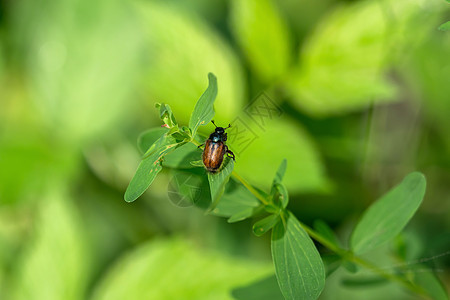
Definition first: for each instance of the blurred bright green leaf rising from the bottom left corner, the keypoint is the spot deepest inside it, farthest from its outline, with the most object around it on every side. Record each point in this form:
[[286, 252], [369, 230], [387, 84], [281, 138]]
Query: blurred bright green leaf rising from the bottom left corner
[[56, 251]]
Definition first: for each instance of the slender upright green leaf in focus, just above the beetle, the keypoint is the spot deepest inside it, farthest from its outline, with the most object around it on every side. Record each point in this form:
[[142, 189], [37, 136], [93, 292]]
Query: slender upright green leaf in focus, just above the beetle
[[204, 108]]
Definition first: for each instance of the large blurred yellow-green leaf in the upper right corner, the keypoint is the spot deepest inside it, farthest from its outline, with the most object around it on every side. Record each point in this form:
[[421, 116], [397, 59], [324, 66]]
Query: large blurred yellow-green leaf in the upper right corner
[[350, 71]]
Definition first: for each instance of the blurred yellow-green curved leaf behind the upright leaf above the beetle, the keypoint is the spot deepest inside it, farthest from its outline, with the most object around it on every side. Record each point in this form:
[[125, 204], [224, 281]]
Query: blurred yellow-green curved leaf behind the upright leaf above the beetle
[[180, 55]]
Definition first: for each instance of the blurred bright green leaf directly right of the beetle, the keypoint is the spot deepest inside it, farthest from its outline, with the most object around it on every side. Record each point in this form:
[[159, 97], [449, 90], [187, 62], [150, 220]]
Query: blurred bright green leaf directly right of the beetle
[[306, 172]]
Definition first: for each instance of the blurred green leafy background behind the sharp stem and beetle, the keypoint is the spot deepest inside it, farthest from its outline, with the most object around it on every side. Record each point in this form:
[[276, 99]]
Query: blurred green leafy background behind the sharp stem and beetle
[[364, 87]]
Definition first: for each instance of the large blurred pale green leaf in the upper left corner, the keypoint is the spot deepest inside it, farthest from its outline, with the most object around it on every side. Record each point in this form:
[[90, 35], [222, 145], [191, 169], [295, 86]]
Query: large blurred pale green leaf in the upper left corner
[[80, 89]]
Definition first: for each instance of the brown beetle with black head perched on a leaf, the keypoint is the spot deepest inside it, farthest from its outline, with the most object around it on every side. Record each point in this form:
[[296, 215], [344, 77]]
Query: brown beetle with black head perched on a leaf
[[215, 149]]
